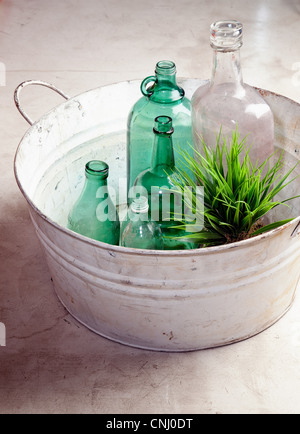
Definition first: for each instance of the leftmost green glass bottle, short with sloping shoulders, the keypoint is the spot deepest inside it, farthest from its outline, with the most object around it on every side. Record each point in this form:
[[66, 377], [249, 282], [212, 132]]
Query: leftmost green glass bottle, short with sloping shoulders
[[94, 214]]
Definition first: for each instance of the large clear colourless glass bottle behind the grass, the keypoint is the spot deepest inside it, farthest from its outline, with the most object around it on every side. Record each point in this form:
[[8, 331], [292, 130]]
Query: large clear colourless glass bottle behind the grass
[[227, 102]]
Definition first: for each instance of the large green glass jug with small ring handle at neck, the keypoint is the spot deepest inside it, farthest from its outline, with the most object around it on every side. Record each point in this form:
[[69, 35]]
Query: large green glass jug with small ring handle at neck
[[161, 96]]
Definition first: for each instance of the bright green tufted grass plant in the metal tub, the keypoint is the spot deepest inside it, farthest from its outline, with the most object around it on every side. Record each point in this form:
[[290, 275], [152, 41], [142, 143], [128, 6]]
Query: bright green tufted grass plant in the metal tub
[[237, 195]]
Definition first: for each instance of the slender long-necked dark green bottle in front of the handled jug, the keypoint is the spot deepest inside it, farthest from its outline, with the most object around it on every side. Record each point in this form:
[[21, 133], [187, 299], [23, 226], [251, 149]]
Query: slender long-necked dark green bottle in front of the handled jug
[[157, 184]]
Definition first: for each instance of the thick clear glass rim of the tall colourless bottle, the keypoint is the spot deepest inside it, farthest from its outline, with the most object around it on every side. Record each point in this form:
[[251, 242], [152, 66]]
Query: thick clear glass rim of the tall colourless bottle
[[226, 35]]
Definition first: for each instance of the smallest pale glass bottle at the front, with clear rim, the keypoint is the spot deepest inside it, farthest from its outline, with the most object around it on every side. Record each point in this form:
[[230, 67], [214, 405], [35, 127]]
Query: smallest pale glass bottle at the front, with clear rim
[[140, 232]]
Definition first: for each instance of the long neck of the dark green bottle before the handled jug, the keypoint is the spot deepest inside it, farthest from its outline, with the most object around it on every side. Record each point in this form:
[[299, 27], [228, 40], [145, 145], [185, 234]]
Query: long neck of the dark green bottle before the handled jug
[[163, 161]]
